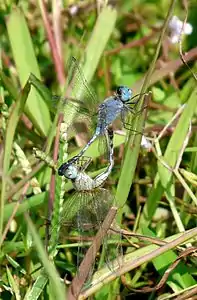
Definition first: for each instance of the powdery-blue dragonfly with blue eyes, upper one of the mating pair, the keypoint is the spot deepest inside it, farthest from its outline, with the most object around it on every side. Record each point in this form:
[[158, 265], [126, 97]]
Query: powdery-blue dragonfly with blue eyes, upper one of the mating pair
[[121, 104]]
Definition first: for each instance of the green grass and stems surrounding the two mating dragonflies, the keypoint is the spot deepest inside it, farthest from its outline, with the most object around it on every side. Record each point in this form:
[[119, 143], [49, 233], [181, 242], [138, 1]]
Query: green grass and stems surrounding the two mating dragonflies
[[121, 44]]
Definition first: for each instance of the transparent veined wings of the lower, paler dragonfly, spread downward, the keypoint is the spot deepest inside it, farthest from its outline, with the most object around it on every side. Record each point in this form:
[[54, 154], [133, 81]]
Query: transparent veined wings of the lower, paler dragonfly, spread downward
[[85, 212]]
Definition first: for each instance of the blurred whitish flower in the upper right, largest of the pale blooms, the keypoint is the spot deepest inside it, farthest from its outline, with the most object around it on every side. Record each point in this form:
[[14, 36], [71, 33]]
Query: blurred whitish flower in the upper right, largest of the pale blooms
[[177, 28]]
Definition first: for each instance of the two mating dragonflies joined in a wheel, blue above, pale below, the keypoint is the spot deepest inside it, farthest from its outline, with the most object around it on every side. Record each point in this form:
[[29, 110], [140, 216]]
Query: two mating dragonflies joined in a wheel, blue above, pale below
[[90, 203]]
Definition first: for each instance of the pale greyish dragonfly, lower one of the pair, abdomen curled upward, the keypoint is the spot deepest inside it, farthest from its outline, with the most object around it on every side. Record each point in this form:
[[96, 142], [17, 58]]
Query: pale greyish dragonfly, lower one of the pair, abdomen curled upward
[[87, 208]]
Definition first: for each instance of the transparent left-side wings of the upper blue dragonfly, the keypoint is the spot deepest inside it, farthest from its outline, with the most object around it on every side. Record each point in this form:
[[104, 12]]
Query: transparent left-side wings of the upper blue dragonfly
[[79, 101]]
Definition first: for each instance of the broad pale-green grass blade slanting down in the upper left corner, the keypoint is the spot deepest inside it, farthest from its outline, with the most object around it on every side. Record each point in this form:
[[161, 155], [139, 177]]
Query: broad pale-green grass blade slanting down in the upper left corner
[[26, 63]]
